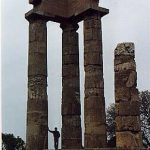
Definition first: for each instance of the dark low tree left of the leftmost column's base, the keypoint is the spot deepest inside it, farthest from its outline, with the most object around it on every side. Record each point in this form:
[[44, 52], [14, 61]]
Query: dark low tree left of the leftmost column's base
[[10, 142]]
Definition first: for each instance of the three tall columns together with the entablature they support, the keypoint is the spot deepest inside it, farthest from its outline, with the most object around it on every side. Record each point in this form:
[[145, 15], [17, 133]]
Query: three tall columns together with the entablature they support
[[67, 13]]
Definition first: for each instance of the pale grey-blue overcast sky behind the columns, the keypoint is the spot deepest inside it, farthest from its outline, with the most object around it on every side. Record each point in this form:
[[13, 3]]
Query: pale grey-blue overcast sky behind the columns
[[128, 21]]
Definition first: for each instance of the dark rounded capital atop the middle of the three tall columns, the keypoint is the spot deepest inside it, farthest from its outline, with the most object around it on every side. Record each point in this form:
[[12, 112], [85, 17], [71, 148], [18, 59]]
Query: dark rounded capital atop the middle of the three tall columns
[[69, 26]]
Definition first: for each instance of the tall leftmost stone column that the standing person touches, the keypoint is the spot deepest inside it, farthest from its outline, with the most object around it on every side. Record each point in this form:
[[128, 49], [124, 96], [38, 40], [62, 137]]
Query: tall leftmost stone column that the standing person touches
[[37, 104]]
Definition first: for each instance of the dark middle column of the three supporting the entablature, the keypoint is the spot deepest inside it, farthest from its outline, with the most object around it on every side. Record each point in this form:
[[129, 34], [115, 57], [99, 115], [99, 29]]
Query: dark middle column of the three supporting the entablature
[[71, 109]]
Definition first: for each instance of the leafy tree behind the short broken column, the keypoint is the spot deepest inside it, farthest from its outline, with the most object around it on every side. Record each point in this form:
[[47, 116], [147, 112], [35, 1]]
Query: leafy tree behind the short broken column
[[144, 116]]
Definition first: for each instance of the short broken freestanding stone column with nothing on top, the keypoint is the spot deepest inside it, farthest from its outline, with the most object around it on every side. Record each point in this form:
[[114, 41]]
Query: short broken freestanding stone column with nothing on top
[[128, 133]]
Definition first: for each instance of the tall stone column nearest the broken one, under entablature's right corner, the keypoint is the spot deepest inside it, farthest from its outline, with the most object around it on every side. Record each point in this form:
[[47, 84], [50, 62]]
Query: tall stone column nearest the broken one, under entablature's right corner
[[94, 104]]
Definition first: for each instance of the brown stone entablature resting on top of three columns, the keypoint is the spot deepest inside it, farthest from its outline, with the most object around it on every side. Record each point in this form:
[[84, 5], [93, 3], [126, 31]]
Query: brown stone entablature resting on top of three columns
[[62, 10]]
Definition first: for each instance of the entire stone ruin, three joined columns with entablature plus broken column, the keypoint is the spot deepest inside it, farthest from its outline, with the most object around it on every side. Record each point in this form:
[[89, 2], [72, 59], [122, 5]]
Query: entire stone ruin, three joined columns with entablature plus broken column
[[68, 13]]
